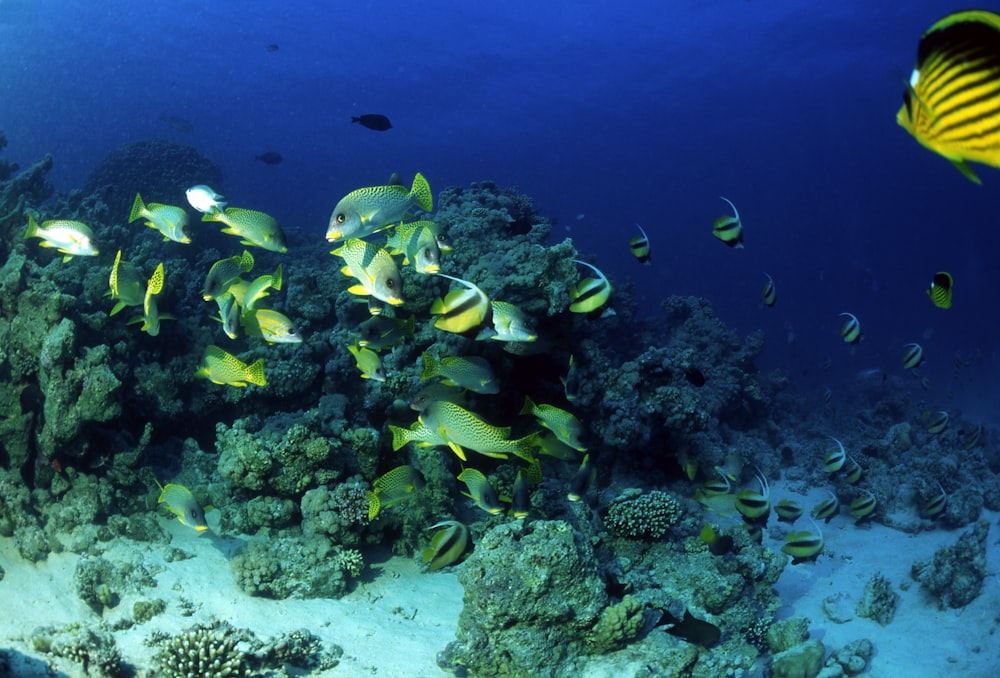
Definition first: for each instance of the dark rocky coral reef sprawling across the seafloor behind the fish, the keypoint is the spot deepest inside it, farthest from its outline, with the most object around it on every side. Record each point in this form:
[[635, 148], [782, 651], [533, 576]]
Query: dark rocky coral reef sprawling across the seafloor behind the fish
[[98, 414]]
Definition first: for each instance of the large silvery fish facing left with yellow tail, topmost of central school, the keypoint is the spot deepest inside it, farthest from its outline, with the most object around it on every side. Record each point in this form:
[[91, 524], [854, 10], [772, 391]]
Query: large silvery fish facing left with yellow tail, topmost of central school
[[364, 211]]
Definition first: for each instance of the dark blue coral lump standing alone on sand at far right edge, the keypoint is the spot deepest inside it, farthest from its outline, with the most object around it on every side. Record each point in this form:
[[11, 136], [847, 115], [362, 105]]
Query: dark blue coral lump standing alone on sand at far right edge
[[954, 576]]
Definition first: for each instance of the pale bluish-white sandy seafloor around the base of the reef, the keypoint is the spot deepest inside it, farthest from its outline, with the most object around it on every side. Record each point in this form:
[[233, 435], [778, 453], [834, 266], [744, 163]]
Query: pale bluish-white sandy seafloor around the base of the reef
[[397, 618]]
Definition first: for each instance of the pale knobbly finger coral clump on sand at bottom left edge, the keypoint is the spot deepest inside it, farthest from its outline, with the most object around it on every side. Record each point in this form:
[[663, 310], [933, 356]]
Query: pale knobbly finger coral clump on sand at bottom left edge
[[202, 651]]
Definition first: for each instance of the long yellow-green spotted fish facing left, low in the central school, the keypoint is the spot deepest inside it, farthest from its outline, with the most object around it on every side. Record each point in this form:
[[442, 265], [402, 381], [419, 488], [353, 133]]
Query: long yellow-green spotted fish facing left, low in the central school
[[461, 428]]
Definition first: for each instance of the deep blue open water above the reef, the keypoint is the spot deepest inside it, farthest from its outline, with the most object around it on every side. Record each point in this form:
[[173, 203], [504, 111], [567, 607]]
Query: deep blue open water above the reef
[[644, 111]]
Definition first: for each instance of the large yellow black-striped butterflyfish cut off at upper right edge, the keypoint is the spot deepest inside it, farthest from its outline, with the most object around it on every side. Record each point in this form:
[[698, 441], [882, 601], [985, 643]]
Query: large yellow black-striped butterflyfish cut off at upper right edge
[[950, 103]]
